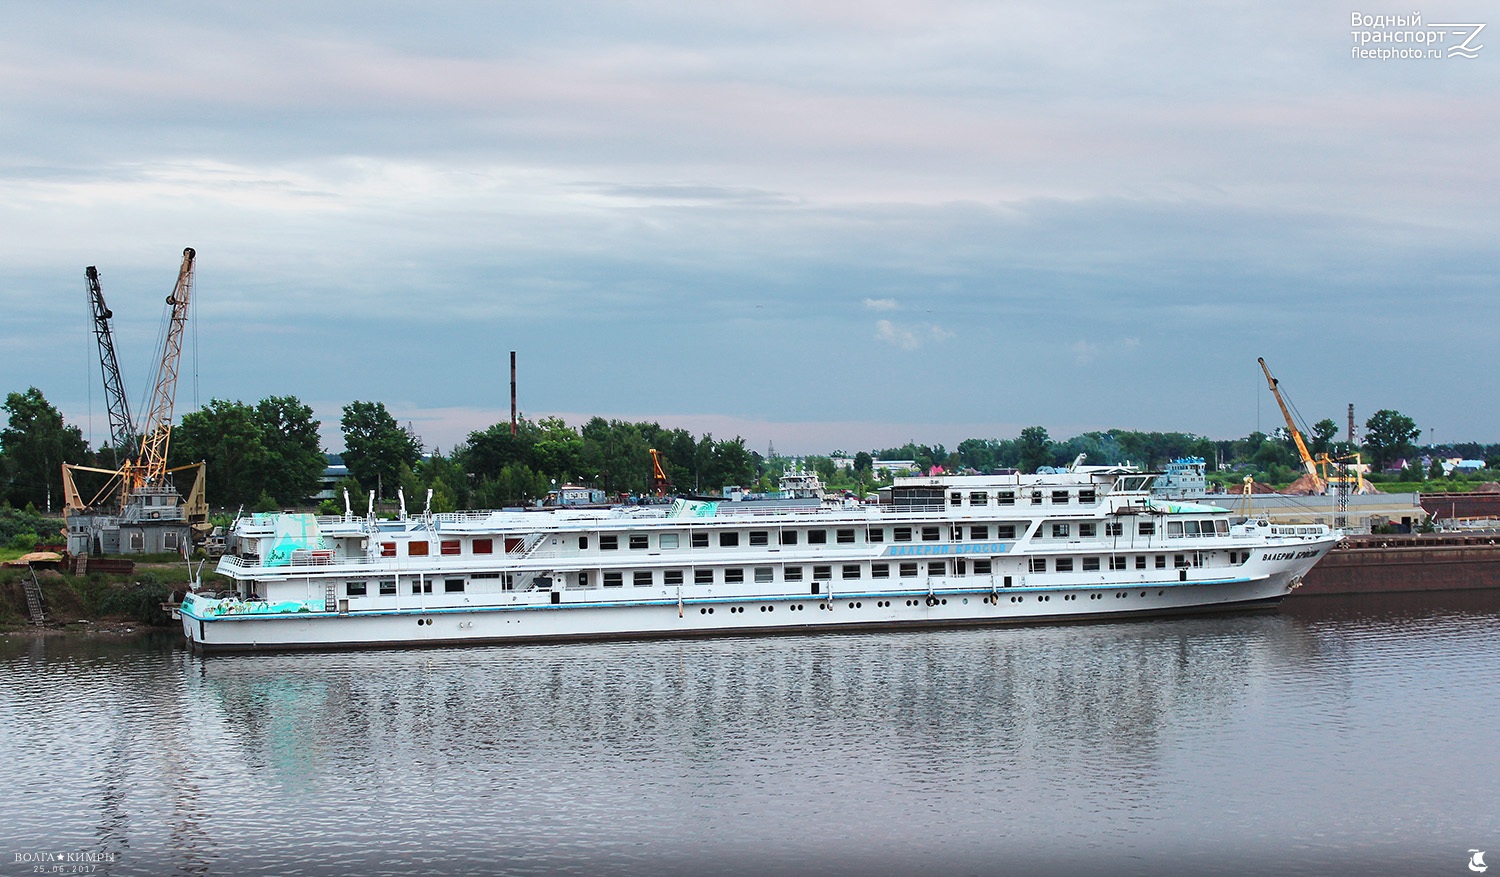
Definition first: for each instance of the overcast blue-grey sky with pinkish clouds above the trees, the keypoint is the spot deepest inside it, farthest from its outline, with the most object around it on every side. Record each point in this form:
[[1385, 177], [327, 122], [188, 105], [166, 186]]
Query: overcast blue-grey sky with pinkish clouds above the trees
[[824, 224]]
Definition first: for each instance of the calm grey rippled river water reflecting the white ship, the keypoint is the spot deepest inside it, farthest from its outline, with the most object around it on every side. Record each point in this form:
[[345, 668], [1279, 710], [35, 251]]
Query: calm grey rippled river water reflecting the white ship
[[1337, 734]]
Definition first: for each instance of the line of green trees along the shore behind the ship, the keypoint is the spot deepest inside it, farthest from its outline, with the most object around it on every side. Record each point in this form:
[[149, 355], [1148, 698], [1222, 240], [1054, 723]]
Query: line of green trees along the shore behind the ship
[[269, 456]]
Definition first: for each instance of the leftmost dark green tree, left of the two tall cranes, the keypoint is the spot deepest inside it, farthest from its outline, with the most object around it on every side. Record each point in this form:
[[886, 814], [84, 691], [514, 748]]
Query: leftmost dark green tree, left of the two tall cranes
[[35, 446]]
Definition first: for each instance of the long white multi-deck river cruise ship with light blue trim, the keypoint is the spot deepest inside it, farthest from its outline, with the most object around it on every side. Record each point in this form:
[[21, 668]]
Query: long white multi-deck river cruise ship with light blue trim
[[944, 551]]
